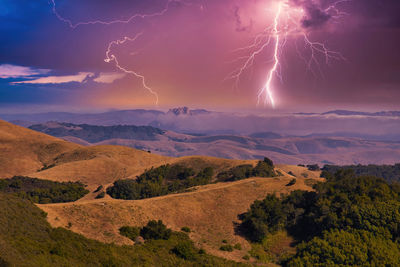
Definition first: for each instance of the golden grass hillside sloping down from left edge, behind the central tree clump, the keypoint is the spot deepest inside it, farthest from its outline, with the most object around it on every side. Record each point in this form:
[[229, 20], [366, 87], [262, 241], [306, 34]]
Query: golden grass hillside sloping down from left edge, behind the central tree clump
[[27, 152]]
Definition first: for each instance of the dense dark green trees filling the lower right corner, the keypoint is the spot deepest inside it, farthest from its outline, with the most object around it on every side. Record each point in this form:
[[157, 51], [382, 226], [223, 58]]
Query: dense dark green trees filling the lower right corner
[[348, 220]]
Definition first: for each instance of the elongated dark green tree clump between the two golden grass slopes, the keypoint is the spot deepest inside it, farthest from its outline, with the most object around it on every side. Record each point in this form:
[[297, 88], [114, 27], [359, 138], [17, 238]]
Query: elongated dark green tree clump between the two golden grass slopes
[[168, 179]]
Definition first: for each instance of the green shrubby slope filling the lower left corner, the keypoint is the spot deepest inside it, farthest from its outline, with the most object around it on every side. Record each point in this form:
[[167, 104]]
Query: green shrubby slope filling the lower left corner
[[28, 240]]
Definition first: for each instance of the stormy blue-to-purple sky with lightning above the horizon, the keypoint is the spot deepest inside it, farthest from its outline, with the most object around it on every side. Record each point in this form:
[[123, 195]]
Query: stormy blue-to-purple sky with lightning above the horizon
[[98, 54]]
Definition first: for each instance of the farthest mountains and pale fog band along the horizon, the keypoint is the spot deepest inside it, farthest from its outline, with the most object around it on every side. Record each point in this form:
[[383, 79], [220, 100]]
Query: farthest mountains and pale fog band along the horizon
[[378, 126]]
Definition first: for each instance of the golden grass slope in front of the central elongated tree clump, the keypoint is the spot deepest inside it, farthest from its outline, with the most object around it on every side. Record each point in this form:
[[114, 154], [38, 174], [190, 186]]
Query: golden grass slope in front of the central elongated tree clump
[[210, 211]]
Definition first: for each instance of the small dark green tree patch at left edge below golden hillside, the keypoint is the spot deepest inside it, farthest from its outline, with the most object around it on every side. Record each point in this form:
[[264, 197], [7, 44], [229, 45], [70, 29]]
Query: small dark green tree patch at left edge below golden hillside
[[43, 191]]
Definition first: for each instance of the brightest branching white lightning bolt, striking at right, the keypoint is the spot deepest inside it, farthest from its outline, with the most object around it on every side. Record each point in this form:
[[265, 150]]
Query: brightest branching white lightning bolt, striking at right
[[285, 25]]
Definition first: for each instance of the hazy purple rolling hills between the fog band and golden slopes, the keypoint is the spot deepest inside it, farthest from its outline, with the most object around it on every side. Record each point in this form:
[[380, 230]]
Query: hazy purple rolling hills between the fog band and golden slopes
[[282, 149]]
